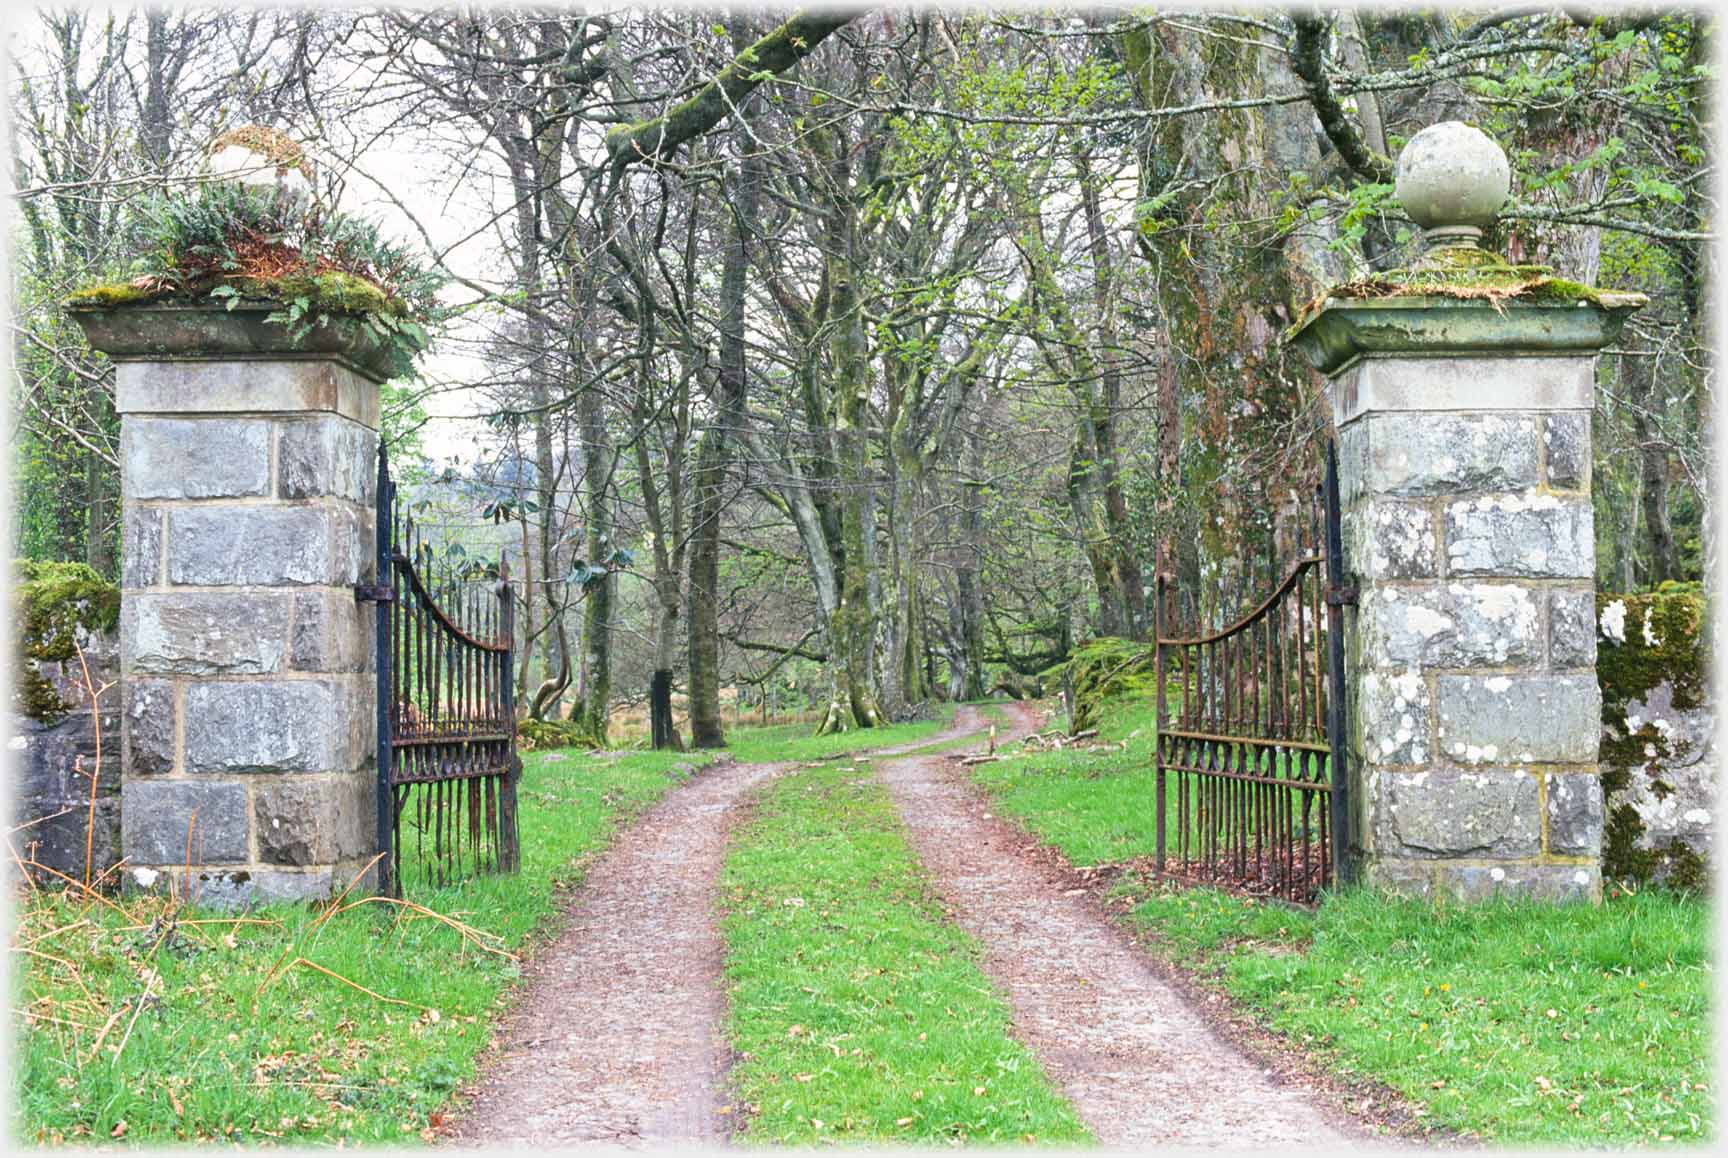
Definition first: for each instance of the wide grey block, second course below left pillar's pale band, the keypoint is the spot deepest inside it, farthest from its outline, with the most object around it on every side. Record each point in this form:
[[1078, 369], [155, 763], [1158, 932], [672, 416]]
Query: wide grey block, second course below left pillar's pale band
[[229, 547]]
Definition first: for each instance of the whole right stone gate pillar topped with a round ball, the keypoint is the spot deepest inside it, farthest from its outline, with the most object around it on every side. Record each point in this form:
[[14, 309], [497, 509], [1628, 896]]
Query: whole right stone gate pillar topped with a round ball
[[1463, 391]]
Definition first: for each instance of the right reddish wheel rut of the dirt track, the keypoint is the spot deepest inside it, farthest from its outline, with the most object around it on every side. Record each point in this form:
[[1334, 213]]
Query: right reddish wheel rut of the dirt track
[[1138, 1062]]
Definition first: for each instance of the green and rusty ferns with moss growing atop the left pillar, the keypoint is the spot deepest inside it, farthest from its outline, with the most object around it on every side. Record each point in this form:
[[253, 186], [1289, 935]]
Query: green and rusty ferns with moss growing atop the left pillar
[[238, 245]]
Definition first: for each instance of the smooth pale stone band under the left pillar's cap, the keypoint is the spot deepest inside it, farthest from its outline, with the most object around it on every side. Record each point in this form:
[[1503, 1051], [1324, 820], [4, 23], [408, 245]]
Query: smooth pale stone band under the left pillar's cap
[[246, 386]]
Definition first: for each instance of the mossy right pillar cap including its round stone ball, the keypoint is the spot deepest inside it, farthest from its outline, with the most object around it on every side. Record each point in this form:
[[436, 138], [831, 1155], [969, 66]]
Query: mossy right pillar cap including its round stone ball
[[1458, 300]]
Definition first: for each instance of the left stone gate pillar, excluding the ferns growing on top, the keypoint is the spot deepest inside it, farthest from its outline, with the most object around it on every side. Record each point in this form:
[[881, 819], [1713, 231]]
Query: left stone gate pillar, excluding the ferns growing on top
[[248, 474]]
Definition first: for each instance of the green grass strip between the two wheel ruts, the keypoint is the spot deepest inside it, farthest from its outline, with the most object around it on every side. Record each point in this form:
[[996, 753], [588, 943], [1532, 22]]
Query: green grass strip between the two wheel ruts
[[860, 1014]]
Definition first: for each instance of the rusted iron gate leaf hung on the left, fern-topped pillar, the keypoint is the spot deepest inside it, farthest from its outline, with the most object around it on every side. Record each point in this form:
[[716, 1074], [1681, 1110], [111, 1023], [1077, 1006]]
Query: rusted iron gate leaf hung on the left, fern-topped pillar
[[448, 761]]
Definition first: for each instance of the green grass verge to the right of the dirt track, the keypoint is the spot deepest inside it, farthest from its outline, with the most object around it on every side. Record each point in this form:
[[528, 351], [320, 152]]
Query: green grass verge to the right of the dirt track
[[1447, 1003]]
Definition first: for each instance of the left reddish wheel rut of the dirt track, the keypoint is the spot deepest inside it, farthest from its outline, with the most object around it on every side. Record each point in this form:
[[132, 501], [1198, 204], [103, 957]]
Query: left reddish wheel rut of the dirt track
[[618, 1036]]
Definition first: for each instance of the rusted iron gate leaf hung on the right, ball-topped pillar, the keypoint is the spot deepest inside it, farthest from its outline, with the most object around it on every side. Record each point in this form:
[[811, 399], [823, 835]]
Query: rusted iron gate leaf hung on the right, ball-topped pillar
[[1252, 777]]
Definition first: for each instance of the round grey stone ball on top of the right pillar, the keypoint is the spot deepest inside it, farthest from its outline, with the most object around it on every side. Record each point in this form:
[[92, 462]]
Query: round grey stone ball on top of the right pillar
[[1452, 181]]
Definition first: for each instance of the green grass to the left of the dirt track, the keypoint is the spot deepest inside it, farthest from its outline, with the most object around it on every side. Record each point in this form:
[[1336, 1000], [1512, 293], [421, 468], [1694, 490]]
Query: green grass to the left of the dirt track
[[220, 1053]]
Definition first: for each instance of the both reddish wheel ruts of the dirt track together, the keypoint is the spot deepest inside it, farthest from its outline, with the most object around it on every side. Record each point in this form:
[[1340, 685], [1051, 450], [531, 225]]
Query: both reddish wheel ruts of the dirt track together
[[619, 1033]]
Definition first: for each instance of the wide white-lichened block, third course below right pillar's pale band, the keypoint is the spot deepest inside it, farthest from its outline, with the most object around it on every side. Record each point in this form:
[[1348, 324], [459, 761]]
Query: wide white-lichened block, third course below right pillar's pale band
[[1459, 625]]
